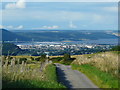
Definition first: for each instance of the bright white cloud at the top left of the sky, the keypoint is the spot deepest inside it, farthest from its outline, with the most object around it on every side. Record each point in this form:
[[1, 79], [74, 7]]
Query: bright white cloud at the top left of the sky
[[19, 4]]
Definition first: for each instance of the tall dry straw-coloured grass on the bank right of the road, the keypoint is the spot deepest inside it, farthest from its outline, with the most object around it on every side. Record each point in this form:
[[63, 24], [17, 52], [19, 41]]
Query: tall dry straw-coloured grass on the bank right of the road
[[106, 61]]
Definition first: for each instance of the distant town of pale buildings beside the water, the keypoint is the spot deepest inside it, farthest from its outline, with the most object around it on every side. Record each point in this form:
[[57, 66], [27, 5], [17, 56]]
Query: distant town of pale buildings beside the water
[[61, 48]]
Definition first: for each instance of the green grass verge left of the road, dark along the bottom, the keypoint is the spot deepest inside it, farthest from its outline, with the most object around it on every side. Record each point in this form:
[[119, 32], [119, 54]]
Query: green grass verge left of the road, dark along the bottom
[[49, 81]]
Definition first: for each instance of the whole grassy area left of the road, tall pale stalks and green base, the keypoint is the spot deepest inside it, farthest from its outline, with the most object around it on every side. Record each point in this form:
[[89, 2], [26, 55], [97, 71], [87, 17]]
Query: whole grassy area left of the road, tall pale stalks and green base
[[16, 75]]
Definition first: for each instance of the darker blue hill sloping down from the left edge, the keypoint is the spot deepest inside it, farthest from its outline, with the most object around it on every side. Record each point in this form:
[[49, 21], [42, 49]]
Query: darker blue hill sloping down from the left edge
[[11, 36]]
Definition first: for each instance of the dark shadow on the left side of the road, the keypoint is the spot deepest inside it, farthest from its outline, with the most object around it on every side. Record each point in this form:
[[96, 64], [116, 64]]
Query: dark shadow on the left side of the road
[[62, 79]]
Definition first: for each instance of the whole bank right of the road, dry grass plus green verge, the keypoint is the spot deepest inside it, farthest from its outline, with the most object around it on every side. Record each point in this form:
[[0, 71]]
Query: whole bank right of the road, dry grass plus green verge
[[102, 68]]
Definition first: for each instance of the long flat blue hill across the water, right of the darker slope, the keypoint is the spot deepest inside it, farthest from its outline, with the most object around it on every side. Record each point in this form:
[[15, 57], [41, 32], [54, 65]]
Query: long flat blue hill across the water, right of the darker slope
[[66, 35]]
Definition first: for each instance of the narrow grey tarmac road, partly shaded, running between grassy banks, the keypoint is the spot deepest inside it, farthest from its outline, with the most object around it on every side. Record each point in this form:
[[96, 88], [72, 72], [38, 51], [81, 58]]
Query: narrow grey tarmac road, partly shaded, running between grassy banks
[[72, 78]]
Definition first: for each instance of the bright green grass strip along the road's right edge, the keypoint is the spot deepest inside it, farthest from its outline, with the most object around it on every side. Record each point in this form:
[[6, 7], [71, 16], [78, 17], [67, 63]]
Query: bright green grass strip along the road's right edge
[[100, 78]]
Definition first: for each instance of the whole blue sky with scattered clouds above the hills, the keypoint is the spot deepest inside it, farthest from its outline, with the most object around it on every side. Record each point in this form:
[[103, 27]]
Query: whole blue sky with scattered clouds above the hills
[[23, 15]]
